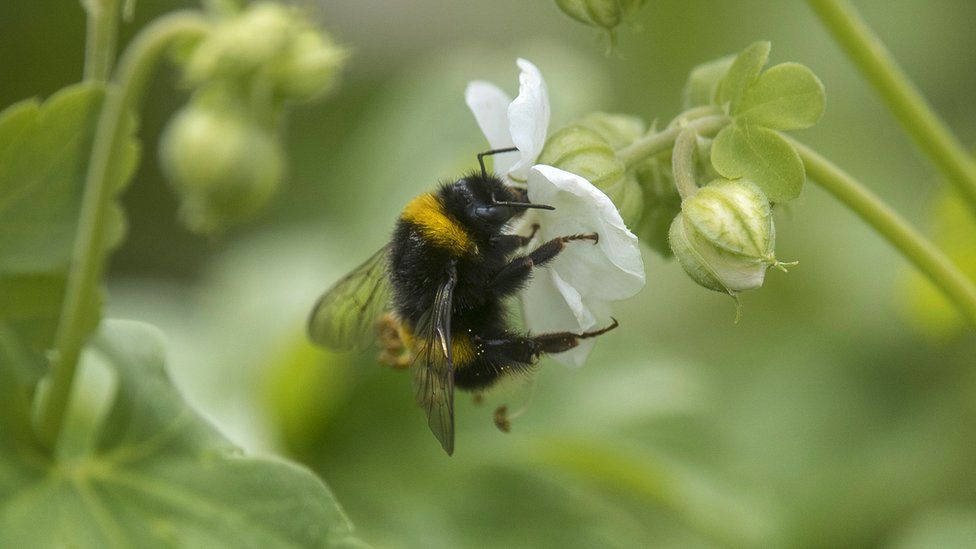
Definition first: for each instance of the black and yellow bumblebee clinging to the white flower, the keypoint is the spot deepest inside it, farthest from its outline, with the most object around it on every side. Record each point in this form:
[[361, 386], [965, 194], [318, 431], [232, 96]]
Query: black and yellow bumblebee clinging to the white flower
[[435, 295]]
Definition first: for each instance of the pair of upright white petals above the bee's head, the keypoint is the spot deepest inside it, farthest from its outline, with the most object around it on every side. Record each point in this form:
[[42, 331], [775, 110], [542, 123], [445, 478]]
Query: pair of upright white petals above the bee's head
[[521, 123]]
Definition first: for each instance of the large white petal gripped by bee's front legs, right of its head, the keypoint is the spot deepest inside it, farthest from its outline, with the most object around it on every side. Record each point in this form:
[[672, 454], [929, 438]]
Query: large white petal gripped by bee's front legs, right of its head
[[610, 270]]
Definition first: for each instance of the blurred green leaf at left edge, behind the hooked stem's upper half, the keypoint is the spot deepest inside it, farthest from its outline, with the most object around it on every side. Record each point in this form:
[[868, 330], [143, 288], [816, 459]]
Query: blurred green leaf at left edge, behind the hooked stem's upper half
[[44, 153]]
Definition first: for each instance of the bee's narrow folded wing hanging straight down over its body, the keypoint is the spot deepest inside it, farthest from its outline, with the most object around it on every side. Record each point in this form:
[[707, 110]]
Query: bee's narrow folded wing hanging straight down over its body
[[433, 366]]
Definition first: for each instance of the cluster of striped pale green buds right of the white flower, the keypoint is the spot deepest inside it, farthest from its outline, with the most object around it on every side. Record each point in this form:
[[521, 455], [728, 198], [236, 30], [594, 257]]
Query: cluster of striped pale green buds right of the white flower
[[721, 233]]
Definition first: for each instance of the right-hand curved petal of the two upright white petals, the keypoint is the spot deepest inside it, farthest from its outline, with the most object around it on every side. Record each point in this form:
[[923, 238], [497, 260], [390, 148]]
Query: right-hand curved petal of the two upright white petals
[[528, 118]]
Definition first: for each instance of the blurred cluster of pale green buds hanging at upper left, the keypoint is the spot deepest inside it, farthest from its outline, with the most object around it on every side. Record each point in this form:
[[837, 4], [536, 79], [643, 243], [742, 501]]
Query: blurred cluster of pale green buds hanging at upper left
[[221, 152]]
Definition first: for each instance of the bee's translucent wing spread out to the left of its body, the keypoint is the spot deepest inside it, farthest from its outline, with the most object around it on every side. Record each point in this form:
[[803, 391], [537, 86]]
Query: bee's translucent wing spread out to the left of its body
[[345, 316]]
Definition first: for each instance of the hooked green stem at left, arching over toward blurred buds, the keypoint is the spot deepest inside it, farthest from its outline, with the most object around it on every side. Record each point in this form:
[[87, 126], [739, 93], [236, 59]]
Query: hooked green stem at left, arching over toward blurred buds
[[88, 258]]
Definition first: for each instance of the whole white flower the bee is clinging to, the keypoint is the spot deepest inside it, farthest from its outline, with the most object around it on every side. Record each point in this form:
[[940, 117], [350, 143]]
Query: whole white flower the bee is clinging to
[[573, 292]]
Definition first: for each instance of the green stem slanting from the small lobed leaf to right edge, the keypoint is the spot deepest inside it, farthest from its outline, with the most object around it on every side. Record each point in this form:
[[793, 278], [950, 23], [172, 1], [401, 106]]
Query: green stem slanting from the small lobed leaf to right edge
[[927, 258]]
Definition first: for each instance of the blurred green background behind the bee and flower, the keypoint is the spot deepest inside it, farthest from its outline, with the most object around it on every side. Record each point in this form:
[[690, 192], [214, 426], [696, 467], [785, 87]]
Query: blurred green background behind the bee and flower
[[833, 414]]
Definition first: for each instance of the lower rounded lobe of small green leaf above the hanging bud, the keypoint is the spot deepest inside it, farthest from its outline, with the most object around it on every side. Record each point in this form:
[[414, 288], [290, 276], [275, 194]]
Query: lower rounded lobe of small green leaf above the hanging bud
[[762, 156]]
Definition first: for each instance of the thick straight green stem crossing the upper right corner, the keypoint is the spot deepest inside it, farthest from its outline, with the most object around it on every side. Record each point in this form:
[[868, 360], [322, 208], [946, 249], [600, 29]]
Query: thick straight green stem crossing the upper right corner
[[930, 133]]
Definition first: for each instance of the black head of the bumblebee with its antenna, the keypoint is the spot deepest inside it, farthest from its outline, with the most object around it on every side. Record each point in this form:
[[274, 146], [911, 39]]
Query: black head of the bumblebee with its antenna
[[484, 203]]
